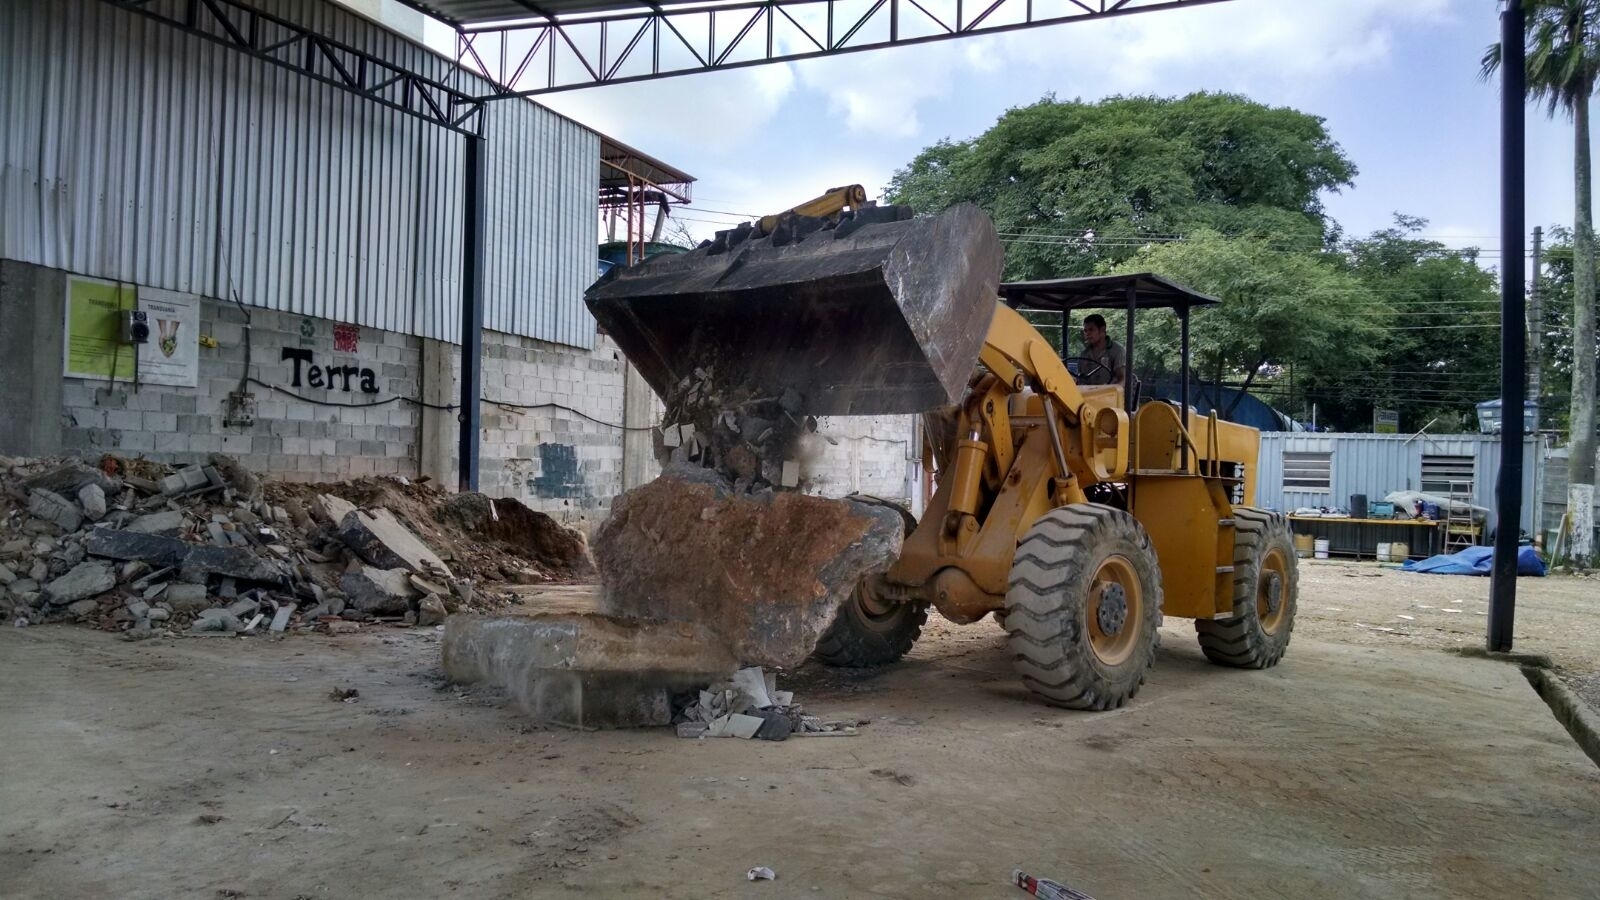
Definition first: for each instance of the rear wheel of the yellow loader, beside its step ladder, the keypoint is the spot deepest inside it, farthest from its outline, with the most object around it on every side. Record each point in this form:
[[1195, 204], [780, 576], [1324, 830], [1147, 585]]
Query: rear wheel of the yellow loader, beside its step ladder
[[1266, 595]]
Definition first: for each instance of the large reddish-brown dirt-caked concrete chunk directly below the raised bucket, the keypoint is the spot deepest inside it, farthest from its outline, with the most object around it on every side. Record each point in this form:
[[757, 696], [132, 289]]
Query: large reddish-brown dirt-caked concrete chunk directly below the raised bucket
[[767, 573]]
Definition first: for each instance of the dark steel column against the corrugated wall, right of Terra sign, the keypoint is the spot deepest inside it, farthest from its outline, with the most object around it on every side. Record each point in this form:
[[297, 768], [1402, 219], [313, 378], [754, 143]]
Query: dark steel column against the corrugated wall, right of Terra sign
[[471, 313]]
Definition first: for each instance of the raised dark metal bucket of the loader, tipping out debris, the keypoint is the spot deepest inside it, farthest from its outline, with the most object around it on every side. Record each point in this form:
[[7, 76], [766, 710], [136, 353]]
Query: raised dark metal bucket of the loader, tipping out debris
[[878, 315]]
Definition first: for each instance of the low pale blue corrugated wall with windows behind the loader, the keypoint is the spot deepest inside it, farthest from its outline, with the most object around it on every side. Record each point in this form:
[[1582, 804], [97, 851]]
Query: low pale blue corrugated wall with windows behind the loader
[[1383, 464]]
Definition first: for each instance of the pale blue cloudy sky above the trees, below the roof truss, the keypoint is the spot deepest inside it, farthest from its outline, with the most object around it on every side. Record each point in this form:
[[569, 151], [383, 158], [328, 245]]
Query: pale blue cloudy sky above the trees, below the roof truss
[[1398, 82]]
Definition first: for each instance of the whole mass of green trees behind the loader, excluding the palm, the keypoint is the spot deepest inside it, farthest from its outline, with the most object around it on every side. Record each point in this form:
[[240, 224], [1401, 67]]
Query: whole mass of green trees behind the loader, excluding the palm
[[1226, 196]]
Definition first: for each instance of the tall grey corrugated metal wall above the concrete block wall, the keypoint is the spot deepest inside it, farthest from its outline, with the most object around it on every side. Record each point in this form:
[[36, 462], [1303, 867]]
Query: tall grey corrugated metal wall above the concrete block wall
[[135, 153]]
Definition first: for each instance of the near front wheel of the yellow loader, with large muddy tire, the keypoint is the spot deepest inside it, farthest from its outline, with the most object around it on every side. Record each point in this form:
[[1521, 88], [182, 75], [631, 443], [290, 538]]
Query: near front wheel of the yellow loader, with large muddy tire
[[1084, 608]]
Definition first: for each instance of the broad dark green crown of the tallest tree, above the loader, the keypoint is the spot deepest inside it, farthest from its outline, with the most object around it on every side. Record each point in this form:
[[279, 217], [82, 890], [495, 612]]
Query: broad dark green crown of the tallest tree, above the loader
[[1076, 187]]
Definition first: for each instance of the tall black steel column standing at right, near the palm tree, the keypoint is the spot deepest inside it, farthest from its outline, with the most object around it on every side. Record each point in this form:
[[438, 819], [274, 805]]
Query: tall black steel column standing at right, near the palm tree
[[1514, 329]]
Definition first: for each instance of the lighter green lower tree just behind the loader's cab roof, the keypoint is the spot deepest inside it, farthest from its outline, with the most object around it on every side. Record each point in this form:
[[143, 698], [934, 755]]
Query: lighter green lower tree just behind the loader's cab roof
[[1281, 310]]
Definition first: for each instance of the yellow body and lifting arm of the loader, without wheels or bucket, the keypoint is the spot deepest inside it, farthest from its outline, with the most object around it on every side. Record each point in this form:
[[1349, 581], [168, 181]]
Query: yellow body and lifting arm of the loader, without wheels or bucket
[[1180, 480]]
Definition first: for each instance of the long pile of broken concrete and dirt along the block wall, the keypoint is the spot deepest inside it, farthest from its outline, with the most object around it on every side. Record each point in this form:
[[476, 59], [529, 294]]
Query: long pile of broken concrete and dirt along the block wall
[[145, 550]]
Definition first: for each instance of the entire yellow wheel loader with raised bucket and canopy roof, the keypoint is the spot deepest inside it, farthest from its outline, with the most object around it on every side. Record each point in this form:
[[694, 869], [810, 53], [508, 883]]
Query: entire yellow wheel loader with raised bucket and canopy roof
[[1078, 516]]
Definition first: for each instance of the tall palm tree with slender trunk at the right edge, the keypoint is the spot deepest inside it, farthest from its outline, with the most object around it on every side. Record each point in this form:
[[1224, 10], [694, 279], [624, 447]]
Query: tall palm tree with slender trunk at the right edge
[[1564, 68]]
